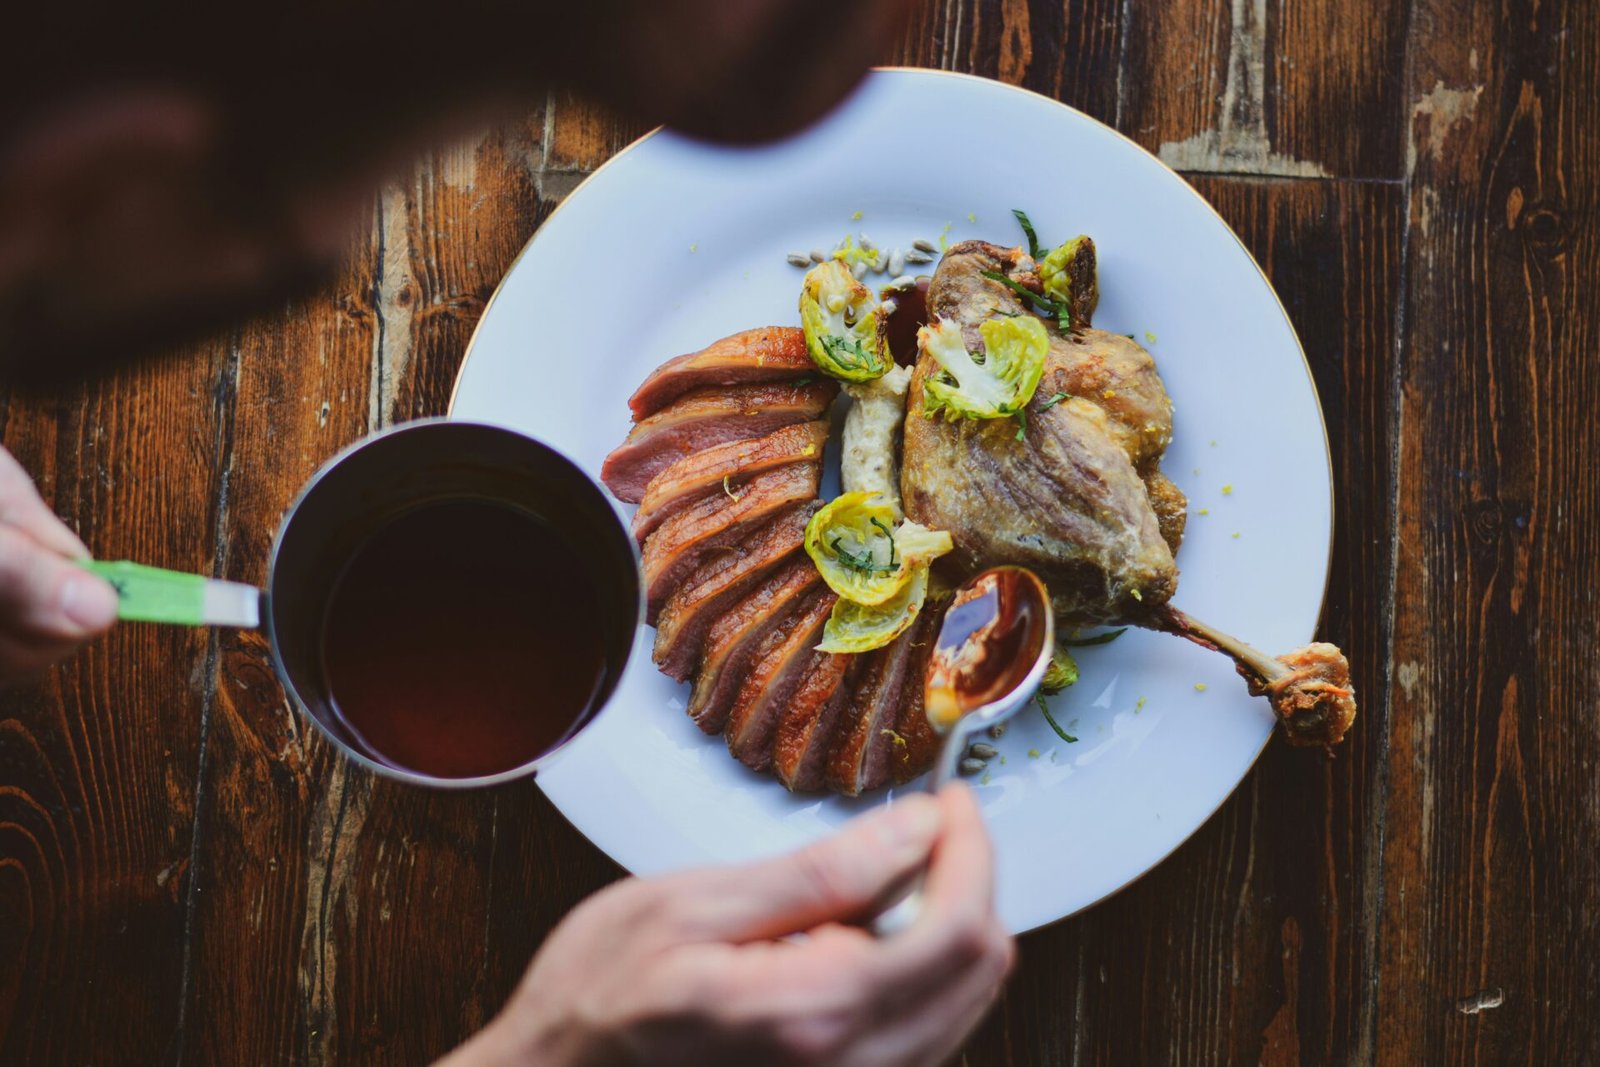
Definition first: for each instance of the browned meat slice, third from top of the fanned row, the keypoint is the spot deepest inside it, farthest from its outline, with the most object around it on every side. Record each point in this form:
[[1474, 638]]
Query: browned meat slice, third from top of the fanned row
[[724, 470]]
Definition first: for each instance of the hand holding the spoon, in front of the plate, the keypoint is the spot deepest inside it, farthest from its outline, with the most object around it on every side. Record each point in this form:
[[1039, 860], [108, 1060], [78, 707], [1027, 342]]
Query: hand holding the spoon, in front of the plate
[[686, 969]]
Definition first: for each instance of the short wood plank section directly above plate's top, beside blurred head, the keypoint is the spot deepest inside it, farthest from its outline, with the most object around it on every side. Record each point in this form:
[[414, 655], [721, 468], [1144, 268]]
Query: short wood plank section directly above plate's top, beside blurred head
[[1070, 50]]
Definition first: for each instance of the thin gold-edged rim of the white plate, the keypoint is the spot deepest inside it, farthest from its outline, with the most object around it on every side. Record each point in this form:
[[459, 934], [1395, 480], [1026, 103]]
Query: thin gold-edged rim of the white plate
[[1207, 206]]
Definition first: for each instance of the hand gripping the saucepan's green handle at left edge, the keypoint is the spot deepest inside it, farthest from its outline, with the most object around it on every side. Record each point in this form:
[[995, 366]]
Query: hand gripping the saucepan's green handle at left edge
[[49, 605]]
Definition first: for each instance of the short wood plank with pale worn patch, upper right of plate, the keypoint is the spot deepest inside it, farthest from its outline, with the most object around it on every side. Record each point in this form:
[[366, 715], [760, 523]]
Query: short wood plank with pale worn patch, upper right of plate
[[1306, 89]]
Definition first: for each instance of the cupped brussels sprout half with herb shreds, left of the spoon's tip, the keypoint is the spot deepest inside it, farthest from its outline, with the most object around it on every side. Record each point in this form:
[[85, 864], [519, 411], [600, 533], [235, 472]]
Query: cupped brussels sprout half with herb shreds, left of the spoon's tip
[[860, 553]]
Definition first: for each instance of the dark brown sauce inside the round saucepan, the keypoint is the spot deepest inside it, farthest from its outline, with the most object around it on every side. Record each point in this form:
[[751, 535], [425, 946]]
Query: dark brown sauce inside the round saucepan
[[463, 641]]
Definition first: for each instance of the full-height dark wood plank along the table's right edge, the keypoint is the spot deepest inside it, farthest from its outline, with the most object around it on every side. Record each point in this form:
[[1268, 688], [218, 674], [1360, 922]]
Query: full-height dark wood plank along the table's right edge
[[1490, 876]]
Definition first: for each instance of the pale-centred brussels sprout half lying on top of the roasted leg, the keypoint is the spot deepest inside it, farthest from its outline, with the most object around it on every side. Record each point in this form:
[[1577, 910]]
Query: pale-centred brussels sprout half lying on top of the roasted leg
[[993, 386]]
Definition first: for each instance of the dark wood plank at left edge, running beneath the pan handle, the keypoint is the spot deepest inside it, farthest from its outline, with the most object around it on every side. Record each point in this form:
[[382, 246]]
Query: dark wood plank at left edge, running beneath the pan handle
[[98, 762]]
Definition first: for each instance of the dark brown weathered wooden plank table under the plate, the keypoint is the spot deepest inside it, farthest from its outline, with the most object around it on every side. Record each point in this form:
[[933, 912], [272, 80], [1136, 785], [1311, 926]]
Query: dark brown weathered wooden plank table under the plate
[[190, 874]]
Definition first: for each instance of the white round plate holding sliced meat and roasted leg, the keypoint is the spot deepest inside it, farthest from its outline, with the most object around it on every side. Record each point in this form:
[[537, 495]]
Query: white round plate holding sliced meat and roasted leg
[[676, 244]]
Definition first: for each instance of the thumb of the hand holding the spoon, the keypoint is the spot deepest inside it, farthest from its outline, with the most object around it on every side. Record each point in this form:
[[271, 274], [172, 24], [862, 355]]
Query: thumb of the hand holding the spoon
[[834, 881]]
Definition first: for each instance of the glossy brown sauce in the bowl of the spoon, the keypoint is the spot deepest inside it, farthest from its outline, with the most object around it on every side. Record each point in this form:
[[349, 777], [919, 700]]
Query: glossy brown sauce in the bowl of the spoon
[[990, 641]]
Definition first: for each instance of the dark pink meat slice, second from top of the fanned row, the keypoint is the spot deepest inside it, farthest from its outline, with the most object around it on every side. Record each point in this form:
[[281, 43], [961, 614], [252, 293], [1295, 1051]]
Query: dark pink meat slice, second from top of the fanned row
[[703, 418]]
